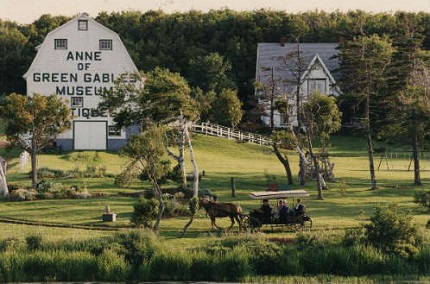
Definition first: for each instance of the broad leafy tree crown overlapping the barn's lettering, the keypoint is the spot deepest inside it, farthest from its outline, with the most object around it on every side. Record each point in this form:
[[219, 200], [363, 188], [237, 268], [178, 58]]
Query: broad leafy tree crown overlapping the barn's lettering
[[162, 98]]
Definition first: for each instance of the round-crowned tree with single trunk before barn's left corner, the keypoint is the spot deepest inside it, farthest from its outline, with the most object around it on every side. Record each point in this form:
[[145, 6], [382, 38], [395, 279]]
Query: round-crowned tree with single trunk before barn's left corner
[[34, 123]]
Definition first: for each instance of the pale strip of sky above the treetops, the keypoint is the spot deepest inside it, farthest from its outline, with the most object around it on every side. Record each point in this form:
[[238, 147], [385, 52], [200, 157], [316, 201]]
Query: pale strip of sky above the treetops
[[26, 11]]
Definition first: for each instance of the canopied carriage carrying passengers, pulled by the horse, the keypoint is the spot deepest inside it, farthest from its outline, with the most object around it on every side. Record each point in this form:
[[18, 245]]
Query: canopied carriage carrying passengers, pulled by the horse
[[292, 219]]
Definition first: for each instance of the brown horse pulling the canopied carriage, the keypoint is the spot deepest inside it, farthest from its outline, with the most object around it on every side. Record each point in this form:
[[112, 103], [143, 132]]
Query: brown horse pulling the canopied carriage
[[221, 210]]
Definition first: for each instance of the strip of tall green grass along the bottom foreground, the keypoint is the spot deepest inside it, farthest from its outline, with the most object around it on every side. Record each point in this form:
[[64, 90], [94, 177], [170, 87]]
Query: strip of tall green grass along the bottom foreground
[[136, 256]]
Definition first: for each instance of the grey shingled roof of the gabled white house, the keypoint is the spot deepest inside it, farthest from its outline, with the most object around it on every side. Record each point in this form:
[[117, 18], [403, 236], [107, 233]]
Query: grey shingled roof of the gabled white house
[[274, 55]]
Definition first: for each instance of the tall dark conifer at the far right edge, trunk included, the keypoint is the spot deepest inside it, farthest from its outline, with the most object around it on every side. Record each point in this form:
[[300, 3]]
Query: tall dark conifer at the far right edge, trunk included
[[408, 89]]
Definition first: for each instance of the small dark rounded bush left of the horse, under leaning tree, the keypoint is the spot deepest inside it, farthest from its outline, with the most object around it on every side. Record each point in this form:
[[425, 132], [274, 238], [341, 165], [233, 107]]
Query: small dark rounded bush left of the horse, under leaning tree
[[144, 212]]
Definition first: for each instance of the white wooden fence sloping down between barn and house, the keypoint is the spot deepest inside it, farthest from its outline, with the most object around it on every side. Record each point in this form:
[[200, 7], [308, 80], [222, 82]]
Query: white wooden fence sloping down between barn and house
[[229, 133]]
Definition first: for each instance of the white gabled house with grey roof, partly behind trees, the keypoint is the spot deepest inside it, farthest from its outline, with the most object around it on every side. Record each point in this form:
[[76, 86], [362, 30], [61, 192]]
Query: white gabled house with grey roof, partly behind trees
[[283, 69]]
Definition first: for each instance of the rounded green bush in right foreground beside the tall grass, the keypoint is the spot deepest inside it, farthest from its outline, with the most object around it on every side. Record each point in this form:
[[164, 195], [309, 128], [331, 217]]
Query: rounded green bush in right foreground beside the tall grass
[[391, 231]]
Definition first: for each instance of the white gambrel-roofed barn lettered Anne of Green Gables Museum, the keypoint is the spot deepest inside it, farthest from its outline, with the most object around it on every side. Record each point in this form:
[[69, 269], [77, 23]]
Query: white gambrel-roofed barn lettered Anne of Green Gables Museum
[[78, 61]]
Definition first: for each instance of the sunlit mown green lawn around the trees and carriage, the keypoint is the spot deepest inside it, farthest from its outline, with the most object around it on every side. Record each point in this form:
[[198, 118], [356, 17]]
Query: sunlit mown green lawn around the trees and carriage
[[348, 202]]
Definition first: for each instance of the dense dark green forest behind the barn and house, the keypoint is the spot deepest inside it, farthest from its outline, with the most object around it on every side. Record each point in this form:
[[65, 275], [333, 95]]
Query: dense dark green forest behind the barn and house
[[211, 50]]
